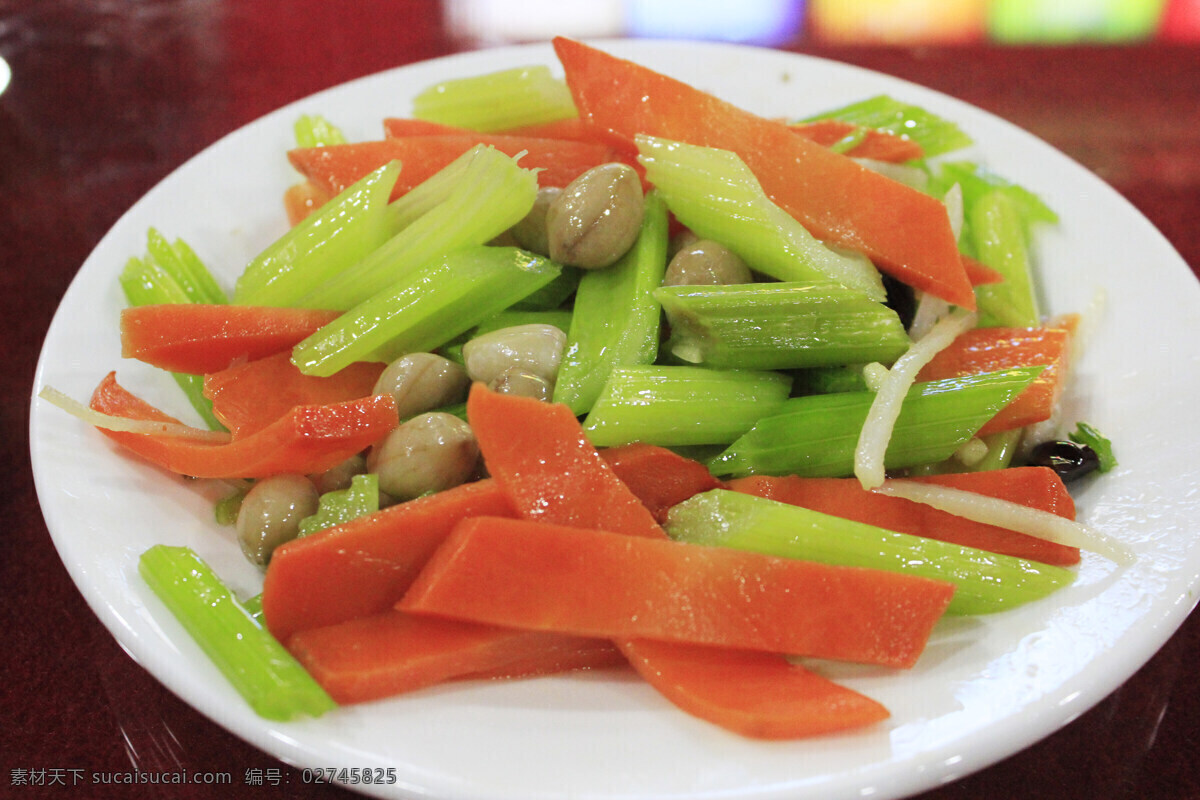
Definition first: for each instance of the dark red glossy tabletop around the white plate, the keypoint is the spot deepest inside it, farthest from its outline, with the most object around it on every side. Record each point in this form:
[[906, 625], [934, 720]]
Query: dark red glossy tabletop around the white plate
[[106, 99]]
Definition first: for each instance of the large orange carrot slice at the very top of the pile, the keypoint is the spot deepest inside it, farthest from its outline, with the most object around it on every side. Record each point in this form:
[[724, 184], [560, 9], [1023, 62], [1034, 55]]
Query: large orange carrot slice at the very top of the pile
[[904, 232]]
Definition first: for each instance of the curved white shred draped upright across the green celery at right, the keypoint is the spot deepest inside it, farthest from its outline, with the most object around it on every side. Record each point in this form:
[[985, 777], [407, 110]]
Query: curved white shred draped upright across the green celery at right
[[873, 440]]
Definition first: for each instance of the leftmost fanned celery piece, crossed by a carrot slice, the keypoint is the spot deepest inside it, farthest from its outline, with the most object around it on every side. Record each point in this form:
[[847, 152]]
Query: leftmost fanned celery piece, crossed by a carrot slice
[[172, 273]]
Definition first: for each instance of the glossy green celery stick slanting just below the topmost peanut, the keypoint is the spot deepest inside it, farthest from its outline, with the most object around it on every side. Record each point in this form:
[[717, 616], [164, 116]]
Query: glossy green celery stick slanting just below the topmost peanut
[[427, 309]]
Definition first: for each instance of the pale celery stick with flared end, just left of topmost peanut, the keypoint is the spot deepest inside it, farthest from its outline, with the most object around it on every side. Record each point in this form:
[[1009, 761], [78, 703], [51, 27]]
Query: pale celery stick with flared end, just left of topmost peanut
[[491, 196]]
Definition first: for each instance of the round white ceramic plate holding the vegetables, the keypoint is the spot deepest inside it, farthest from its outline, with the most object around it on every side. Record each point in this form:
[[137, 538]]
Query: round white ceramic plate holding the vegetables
[[985, 689]]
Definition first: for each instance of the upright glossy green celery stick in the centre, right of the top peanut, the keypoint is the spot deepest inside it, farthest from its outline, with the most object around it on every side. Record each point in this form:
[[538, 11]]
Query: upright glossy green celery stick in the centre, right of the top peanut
[[616, 318]]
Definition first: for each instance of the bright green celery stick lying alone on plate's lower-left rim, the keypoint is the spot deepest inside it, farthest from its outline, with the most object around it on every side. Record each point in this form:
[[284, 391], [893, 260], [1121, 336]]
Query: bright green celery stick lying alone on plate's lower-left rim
[[262, 671]]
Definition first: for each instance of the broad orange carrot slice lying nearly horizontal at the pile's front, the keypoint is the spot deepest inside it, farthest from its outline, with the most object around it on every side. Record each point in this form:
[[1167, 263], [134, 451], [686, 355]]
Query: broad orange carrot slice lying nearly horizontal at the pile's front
[[580, 582]]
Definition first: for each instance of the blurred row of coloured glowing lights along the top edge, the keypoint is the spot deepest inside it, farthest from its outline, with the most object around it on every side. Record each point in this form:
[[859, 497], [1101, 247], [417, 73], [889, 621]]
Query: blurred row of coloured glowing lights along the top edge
[[836, 22]]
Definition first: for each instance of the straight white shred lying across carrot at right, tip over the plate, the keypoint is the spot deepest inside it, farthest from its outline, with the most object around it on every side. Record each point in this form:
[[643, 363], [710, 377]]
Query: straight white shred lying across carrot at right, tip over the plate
[[1013, 516]]
